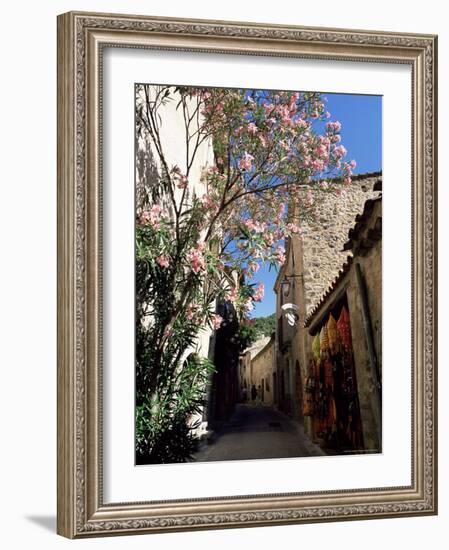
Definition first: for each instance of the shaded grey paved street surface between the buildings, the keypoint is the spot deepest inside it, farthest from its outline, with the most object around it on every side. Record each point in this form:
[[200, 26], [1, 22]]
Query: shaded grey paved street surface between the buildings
[[254, 432]]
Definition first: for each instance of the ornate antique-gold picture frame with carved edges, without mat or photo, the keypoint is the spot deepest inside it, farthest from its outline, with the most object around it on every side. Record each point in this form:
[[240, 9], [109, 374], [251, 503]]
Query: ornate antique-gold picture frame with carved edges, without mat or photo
[[82, 511]]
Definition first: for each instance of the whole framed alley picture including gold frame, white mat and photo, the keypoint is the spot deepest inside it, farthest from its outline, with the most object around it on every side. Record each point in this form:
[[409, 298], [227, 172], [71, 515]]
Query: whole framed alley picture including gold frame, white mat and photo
[[246, 274]]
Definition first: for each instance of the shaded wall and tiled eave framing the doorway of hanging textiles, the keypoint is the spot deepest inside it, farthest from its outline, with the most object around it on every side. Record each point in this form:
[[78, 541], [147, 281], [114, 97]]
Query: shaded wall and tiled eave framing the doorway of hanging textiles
[[367, 260]]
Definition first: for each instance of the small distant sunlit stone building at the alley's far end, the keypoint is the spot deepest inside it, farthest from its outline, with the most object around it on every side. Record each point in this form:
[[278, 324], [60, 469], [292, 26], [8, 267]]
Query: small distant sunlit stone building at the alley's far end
[[263, 372]]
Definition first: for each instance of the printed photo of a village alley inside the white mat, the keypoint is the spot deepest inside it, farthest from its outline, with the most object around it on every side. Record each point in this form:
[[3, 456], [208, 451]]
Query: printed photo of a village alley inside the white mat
[[258, 326]]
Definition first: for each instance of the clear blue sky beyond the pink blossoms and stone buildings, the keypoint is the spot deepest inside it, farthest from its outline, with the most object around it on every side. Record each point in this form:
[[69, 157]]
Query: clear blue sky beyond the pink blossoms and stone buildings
[[361, 119]]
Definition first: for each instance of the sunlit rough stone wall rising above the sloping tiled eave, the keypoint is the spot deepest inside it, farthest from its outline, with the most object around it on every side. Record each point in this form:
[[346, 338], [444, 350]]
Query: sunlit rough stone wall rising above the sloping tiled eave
[[324, 237]]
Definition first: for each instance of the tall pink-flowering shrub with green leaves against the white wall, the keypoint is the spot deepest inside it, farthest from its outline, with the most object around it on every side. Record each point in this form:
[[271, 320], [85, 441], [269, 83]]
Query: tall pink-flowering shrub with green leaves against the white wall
[[271, 165]]
